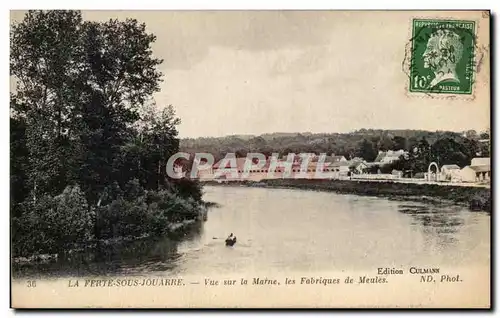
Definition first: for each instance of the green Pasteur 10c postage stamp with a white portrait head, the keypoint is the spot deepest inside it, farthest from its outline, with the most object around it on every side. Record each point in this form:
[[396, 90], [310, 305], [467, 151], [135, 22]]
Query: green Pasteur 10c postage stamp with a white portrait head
[[442, 56]]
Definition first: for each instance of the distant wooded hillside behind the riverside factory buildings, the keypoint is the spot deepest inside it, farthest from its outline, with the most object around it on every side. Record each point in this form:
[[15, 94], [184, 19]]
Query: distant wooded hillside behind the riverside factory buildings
[[365, 143]]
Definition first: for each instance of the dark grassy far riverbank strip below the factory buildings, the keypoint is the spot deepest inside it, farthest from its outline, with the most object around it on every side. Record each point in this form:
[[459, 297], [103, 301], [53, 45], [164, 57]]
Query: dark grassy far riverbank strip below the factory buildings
[[475, 198]]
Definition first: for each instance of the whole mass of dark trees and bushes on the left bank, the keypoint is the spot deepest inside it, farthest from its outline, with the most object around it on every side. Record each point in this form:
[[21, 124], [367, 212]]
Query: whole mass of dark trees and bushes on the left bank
[[88, 145]]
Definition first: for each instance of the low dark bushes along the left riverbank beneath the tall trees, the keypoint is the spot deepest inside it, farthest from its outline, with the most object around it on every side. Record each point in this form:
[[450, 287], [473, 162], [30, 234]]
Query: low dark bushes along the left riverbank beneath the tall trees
[[54, 224]]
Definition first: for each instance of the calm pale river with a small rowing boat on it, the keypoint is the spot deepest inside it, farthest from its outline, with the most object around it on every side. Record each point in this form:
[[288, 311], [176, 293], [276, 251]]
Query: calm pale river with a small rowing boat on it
[[281, 230]]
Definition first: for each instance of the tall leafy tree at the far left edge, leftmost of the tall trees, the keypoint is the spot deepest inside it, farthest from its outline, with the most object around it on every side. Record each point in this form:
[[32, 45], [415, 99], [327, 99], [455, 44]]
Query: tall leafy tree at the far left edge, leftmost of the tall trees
[[44, 58]]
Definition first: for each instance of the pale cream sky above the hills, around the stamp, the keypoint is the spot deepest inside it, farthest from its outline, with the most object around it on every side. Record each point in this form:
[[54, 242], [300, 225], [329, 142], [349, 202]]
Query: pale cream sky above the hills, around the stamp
[[254, 72]]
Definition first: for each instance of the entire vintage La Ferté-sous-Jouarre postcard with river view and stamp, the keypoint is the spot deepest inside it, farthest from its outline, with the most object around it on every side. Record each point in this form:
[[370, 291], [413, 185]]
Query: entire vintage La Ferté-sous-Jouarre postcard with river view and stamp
[[250, 159]]
